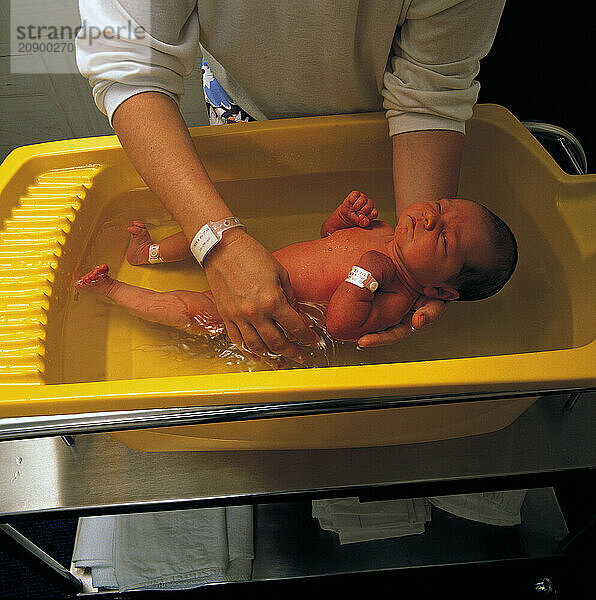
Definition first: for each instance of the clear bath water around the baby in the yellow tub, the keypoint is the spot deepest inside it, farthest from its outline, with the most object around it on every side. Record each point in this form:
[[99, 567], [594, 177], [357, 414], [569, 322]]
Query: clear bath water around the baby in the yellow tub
[[101, 341]]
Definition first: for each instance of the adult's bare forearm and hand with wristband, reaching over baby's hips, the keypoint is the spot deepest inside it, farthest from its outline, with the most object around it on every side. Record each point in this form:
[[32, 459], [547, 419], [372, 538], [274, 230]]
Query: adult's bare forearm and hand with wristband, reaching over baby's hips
[[250, 288]]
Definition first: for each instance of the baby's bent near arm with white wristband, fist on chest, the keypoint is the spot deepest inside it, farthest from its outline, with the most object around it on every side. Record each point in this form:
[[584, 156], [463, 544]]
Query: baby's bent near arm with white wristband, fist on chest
[[354, 311]]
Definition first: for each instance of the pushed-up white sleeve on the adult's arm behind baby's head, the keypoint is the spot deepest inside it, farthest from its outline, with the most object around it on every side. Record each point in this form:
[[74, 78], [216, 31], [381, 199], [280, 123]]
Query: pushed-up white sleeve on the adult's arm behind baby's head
[[429, 82]]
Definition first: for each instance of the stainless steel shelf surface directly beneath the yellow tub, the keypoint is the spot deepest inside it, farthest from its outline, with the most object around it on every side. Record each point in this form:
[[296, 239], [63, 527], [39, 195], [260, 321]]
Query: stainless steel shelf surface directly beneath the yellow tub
[[98, 475]]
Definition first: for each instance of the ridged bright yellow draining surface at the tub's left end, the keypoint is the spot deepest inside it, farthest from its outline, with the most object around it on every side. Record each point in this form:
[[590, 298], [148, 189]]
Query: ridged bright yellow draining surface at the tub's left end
[[31, 241]]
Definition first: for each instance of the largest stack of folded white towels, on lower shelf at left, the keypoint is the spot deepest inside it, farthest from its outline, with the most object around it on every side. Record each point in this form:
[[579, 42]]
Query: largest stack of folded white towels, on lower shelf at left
[[167, 550]]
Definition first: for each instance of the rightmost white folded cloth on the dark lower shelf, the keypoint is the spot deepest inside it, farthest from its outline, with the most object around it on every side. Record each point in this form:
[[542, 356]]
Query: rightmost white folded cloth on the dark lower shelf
[[492, 508]]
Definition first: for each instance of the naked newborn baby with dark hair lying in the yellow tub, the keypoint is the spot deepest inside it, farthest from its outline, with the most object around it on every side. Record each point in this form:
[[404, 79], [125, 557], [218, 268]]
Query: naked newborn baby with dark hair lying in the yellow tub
[[368, 273]]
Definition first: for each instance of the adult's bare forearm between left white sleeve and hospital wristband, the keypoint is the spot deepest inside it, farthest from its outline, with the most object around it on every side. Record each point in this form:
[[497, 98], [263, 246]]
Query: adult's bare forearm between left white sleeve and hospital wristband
[[157, 142]]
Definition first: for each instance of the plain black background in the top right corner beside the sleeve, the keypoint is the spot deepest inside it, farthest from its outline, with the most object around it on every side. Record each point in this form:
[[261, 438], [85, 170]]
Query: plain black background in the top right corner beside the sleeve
[[541, 66]]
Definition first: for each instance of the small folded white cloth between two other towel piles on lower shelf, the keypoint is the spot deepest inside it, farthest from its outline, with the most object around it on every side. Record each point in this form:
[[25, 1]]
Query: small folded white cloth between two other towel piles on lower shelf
[[356, 521]]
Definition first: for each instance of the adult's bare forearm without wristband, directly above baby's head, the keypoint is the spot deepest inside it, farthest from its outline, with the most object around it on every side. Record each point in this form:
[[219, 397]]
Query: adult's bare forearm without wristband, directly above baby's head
[[426, 166]]
